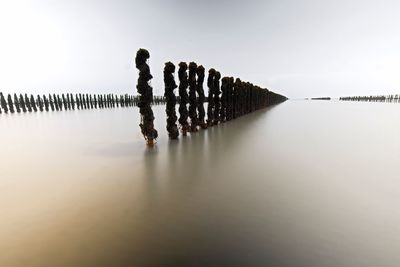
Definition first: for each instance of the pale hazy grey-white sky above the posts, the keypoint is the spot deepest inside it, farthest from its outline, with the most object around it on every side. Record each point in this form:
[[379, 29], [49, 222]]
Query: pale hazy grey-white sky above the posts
[[297, 48]]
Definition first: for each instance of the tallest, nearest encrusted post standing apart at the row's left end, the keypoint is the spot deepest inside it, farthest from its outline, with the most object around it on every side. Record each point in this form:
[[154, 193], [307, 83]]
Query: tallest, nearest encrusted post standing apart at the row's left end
[[146, 96]]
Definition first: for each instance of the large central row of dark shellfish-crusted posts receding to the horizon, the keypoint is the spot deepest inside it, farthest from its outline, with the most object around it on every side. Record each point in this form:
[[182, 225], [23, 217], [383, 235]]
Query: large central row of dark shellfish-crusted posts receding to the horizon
[[228, 98]]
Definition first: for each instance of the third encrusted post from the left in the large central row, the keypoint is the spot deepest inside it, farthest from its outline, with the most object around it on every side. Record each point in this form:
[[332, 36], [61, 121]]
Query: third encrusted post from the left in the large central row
[[184, 99]]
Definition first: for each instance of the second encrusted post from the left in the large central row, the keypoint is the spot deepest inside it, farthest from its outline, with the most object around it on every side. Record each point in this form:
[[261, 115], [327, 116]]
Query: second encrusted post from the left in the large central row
[[170, 86]]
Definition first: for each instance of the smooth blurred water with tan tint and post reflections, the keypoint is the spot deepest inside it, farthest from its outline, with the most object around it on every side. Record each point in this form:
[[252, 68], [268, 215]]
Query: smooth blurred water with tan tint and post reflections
[[299, 184]]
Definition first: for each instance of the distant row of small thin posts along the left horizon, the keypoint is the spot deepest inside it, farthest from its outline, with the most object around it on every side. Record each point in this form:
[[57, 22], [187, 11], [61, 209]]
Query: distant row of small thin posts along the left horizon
[[57, 102]]
